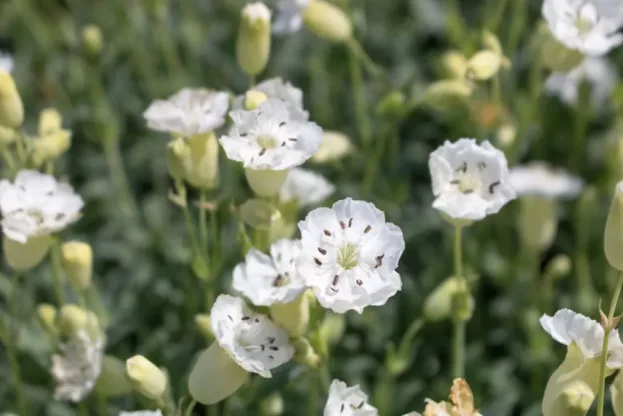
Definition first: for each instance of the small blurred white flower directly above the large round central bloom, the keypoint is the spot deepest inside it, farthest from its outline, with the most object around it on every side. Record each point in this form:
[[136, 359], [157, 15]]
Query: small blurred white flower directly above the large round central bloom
[[306, 187]]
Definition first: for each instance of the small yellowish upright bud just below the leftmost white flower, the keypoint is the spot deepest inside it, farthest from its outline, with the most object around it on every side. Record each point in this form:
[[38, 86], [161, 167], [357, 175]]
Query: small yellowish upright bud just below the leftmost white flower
[[77, 262]]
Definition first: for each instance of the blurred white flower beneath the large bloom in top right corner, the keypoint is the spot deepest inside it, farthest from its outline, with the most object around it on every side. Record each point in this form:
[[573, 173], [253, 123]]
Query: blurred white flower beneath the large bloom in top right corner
[[598, 72]]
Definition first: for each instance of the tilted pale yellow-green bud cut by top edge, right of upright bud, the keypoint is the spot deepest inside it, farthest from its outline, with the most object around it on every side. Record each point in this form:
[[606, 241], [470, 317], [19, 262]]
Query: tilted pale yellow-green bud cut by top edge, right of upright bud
[[327, 21]]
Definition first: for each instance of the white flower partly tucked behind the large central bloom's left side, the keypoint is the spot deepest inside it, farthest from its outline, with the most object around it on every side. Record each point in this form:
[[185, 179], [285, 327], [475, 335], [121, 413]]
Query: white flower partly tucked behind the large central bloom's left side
[[266, 280]]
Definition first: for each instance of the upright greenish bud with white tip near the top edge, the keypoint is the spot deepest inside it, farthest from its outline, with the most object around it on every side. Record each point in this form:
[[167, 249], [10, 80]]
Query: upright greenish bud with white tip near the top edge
[[253, 46]]
